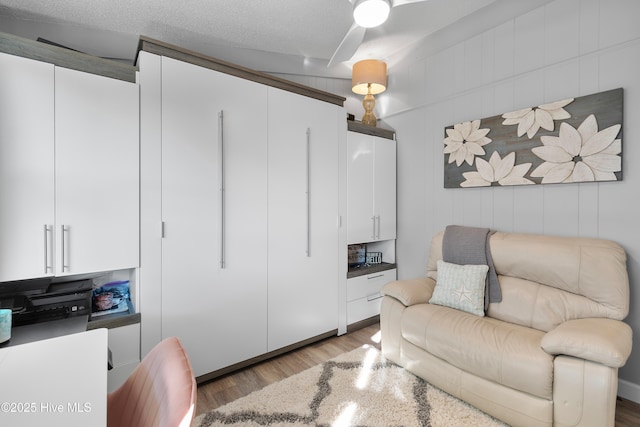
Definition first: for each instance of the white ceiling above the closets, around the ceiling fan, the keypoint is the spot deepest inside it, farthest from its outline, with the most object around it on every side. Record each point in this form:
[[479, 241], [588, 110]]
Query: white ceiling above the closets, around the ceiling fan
[[271, 35]]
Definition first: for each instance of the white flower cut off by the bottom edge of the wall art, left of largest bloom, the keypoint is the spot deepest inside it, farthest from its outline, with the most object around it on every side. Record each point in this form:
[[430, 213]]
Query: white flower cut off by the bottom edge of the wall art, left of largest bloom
[[503, 171]]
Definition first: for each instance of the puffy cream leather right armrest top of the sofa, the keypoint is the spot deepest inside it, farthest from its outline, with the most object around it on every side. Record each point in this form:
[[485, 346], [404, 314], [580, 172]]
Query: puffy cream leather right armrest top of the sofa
[[601, 340]]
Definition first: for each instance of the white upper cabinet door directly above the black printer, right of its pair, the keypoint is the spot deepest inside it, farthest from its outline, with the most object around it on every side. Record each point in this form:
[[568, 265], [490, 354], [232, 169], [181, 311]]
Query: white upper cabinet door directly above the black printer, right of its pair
[[97, 173]]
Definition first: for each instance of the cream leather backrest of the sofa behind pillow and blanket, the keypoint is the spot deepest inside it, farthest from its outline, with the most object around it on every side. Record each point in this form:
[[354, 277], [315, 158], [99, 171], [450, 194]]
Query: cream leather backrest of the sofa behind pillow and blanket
[[546, 280]]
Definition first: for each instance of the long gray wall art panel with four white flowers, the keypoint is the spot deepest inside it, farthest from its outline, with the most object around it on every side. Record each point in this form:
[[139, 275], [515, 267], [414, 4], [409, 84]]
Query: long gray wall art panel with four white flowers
[[569, 140]]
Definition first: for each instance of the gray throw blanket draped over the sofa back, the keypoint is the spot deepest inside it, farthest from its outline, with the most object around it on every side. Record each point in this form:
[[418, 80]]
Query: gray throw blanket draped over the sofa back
[[470, 245]]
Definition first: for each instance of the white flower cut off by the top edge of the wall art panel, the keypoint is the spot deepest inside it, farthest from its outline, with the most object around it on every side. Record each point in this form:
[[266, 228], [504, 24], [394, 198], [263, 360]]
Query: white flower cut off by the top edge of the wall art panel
[[530, 120]]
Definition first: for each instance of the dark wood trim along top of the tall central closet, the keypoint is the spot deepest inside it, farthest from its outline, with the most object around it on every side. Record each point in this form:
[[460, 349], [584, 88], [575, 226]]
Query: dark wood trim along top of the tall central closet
[[171, 51]]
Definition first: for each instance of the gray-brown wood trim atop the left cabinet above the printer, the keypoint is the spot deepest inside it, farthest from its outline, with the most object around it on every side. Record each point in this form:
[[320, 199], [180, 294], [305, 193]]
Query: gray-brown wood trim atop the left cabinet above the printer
[[66, 58]]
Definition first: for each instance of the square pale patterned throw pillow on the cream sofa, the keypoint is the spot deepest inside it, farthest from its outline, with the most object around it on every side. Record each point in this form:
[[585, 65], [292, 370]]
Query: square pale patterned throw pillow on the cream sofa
[[460, 287]]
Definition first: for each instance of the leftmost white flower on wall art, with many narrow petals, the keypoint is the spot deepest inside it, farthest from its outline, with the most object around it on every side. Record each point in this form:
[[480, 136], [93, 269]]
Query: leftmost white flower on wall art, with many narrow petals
[[465, 141]]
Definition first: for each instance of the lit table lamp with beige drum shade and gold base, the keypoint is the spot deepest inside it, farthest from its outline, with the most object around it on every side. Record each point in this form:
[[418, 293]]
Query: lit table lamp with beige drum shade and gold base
[[369, 77]]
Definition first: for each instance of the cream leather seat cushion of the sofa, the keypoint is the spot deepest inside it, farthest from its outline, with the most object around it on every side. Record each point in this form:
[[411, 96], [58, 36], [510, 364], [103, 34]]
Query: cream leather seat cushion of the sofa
[[498, 351]]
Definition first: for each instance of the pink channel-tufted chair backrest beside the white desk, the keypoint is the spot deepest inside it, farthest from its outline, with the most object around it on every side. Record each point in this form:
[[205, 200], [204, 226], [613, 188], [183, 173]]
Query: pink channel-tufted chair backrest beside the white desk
[[160, 392]]
